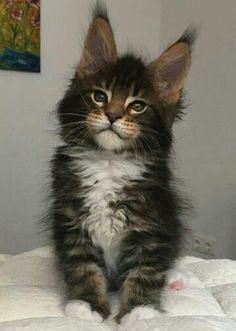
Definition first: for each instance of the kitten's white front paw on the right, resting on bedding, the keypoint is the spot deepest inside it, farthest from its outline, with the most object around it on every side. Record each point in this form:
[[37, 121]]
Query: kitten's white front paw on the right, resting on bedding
[[140, 313]]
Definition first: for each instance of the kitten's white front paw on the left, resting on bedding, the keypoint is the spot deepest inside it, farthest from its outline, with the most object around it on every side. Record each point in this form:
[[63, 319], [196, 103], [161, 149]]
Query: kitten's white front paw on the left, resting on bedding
[[82, 310]]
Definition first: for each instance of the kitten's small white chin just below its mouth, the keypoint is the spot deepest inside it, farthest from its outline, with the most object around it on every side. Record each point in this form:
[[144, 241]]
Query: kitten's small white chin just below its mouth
[[109, 140]]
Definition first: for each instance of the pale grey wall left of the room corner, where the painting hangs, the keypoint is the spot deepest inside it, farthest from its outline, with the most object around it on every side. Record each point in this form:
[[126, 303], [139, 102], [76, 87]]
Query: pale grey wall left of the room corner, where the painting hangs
[[26, 138]]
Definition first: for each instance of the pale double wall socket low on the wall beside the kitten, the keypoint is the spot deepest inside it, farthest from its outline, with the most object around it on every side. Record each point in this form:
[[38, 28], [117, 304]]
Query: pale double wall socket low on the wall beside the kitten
[[203, 244]]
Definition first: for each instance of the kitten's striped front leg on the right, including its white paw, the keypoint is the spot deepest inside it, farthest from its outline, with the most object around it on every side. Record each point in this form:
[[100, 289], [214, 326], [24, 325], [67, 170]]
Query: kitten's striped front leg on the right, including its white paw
[[144, 262]]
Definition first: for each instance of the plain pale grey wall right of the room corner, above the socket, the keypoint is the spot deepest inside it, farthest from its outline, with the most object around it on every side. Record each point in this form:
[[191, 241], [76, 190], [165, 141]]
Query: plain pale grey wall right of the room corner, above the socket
[[206, 139]]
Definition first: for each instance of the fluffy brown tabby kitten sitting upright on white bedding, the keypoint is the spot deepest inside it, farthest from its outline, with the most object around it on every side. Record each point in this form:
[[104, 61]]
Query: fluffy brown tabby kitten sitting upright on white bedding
[[116, 217]]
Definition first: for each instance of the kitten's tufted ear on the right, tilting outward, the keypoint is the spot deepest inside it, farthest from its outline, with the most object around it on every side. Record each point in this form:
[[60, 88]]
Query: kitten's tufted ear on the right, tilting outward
[[170, 70]]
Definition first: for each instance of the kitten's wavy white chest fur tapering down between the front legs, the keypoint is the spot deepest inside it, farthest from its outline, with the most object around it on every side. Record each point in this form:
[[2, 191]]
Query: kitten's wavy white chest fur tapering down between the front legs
[[103, 176]]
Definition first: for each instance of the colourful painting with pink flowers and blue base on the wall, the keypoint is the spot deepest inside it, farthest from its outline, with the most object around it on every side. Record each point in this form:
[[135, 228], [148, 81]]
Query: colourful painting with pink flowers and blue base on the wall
[[20, 35]]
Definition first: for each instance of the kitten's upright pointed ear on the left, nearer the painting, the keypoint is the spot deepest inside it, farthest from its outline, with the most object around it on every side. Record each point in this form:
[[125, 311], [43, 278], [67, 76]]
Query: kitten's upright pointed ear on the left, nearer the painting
[[99, 48]]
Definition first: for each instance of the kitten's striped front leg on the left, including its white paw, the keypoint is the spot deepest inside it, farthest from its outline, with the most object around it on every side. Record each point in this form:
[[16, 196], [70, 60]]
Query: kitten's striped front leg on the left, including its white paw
[[86, 284]]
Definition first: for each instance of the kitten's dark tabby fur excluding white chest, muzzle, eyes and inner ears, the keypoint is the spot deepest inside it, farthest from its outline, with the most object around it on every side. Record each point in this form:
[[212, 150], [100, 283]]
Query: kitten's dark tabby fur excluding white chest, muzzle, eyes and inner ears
[[153, 208]]
